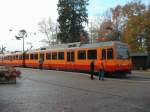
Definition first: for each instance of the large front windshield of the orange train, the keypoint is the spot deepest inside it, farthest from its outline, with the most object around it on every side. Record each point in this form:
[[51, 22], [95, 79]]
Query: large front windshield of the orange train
[[122, 52]]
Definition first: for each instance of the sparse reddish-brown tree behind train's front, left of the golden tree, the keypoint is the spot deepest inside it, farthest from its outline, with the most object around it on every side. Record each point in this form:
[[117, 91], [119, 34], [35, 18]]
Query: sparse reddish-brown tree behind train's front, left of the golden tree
[[109, 28]]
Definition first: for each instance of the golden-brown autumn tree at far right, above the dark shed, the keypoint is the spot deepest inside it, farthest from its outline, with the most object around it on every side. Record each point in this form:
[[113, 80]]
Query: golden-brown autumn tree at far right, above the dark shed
[[137, 32]]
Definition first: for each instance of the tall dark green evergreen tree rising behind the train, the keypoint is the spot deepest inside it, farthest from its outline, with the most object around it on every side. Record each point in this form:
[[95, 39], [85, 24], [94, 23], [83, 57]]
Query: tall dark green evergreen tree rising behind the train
[[72, 16]]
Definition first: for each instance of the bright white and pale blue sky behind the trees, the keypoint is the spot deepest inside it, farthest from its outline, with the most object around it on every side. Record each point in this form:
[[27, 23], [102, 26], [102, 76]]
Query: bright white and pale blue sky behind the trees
[[25, 14]]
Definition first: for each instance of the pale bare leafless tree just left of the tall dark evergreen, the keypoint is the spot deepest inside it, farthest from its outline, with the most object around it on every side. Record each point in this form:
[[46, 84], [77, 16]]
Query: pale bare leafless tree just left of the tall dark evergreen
[[47, 27]]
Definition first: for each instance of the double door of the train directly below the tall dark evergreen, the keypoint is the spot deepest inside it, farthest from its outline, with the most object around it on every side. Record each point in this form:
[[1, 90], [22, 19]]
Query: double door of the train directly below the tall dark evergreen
[[70, 59]]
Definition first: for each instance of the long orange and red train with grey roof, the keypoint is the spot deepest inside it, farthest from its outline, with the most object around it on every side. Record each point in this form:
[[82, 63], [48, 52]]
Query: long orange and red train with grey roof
[[77, 57]]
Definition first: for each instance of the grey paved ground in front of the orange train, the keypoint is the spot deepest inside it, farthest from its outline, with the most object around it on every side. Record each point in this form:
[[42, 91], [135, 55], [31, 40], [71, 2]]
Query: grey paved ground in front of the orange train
[[58, 91]]
